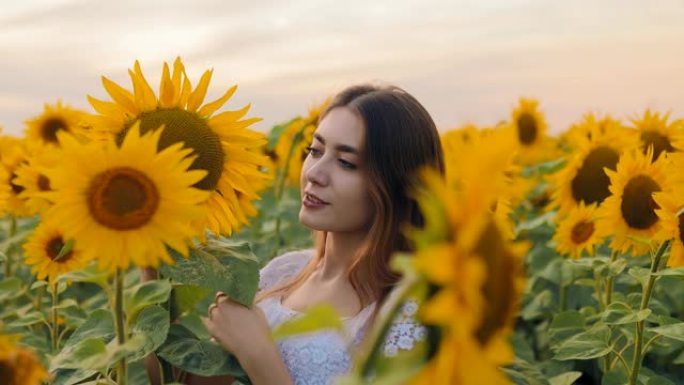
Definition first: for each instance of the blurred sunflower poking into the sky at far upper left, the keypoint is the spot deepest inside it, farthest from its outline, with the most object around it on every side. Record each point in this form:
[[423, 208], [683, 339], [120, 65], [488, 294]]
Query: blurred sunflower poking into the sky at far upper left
[[43, 129]]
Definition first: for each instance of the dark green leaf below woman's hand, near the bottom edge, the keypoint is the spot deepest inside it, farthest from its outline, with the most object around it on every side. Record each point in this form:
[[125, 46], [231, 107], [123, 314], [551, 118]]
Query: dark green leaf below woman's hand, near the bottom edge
[[184, 351]]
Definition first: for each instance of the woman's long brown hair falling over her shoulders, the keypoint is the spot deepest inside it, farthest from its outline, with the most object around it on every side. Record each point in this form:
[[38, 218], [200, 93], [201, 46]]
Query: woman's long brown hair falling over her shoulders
[[400, 139]]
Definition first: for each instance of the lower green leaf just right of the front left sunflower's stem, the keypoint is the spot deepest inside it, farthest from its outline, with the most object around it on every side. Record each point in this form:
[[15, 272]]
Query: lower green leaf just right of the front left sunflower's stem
[[148, 331]]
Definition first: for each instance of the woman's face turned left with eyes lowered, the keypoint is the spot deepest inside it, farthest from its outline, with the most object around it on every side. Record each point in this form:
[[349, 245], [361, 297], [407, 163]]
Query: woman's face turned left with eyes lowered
[[334, 190]]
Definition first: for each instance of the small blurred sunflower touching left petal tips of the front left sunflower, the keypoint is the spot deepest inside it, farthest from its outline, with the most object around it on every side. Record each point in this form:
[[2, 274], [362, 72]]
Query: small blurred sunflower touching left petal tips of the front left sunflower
[[31, 177]]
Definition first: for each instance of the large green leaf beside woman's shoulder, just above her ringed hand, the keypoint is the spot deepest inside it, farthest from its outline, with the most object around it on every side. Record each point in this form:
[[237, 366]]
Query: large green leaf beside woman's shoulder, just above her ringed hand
[[220, 265]]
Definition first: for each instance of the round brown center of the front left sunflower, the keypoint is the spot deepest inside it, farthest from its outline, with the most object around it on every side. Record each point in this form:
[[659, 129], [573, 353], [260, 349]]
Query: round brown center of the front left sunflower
[[122, 198]]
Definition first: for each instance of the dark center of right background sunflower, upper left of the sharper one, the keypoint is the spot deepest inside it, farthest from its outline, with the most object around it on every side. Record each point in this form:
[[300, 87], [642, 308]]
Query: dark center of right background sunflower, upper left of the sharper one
[[591, 184]]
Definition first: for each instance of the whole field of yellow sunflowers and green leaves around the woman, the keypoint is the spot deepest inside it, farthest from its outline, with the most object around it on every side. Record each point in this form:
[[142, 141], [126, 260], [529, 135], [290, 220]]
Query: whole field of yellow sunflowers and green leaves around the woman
[[543, 260]]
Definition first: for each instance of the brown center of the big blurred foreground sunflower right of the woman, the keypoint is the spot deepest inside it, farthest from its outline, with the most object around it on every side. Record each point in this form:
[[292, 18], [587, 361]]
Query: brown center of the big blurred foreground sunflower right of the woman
[[499, 288]]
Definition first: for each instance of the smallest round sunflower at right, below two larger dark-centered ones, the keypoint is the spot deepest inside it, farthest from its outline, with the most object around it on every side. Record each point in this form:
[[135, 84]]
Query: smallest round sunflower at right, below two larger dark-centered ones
[[577, 232]]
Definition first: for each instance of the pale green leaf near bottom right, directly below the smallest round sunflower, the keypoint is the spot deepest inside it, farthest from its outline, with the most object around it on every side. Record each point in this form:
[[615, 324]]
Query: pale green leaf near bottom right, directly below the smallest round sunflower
[[592, 343]]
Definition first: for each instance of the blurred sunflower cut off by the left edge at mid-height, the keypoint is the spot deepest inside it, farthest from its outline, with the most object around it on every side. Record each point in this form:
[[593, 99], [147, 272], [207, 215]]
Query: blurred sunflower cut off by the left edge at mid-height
[[13, 156]]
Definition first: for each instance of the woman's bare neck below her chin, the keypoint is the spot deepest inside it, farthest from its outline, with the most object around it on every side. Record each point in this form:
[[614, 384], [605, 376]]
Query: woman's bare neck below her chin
[[340, 250]]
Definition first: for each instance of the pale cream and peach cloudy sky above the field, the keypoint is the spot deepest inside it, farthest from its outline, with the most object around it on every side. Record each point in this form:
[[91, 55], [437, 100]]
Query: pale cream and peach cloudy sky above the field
[[465, 60]]
